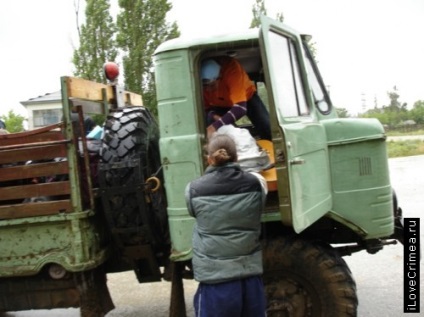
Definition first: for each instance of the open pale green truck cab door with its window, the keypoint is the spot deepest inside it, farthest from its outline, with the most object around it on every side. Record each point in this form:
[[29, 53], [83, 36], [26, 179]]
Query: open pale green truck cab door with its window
[[298, 136]]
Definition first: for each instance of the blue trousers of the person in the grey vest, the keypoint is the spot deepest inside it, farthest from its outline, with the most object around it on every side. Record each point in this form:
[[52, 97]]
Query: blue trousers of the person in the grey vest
[[239, 298]]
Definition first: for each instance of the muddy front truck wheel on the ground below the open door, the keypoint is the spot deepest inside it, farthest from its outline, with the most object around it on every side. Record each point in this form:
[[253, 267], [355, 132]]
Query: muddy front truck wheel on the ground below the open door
[[303, 279]]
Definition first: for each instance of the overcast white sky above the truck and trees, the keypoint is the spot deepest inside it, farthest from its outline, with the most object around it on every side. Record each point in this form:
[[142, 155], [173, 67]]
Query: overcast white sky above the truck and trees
[[364, 47]]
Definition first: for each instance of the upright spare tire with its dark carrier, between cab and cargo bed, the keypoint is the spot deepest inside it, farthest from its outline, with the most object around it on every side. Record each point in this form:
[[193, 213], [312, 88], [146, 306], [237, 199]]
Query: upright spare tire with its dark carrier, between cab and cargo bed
[[133, 195]]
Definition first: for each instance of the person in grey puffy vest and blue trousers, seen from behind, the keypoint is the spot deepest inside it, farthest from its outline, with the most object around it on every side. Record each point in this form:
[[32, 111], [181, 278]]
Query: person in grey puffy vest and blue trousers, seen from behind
[[227, 258]]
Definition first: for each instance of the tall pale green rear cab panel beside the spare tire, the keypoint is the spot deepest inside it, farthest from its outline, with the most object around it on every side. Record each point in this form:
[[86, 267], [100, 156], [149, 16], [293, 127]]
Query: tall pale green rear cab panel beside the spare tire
[[180, 111]]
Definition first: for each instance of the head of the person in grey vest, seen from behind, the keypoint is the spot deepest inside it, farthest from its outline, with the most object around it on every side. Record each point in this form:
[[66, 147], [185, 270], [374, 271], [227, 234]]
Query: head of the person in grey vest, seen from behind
[[221, 150]]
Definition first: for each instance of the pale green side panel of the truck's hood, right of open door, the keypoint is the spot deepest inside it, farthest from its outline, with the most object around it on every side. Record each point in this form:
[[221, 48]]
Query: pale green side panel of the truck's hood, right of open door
[[362, 194]]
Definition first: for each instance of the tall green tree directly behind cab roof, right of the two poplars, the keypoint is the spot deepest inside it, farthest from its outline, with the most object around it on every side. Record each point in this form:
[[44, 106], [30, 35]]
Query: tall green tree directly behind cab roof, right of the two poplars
[[142, 27]]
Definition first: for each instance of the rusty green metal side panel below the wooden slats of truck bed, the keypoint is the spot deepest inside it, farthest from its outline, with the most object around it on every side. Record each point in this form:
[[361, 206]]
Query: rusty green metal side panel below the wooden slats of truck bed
[[28, 244]]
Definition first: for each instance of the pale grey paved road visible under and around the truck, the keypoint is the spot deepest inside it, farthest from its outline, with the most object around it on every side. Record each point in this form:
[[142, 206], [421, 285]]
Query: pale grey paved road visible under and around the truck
[[379, 277]]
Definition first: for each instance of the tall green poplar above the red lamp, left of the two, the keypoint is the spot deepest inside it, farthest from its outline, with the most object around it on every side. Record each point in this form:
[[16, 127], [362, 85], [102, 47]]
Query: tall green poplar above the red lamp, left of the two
[[97, 41]]
